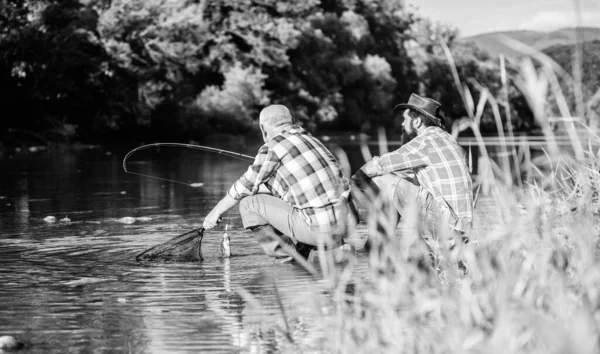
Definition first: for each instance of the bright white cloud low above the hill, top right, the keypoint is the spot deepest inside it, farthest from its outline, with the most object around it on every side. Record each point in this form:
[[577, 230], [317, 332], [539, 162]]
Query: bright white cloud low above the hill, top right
[[552, 20]]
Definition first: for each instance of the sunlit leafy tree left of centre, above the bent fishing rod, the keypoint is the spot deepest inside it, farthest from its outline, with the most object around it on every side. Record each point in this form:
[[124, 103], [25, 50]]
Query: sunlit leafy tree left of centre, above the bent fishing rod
[[182, 52]]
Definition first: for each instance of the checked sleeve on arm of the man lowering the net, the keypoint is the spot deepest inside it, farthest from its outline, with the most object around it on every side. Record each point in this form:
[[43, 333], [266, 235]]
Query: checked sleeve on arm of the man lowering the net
[[264, 166]]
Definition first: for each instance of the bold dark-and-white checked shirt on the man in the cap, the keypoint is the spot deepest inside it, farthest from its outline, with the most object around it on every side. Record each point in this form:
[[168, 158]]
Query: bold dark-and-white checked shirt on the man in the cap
[[297, 168]]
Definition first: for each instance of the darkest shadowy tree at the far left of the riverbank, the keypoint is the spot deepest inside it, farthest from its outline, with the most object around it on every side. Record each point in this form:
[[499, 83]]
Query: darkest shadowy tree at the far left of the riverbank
[[58, 75]]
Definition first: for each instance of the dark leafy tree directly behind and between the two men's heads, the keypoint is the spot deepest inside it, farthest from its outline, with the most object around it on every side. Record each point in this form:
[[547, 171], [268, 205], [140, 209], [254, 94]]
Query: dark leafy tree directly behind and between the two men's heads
[[349, 66]]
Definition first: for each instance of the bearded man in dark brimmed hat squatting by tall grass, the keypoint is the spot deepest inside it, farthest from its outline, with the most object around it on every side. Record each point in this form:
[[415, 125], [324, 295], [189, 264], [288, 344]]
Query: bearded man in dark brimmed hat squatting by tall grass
[[429, 171]]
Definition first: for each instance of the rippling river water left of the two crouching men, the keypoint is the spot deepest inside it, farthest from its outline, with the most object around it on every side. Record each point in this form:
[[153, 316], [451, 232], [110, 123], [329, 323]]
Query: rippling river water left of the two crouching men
[[73, 285]]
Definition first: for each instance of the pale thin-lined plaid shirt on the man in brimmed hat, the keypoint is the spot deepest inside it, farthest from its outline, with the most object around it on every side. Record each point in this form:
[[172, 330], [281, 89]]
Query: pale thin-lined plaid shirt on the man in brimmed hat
[[440, 165]]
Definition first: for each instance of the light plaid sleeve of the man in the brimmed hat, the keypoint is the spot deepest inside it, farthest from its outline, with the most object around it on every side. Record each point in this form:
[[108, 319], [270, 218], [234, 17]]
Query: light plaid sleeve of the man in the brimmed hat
[[408, 156]]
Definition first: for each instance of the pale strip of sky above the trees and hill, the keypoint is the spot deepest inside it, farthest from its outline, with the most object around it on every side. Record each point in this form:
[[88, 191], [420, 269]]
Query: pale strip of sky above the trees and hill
[[479, 16]]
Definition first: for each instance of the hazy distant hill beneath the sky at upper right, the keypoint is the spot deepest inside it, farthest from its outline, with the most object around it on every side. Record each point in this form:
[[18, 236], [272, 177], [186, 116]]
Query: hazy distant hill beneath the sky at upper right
[[493, 45]]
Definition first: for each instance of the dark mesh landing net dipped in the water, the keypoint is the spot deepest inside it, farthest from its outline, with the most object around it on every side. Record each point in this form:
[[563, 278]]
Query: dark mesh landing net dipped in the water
[[183, 248]]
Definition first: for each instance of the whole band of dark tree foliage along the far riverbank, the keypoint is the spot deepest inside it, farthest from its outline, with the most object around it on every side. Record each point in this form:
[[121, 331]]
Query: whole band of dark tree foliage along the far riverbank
[[186, 68]]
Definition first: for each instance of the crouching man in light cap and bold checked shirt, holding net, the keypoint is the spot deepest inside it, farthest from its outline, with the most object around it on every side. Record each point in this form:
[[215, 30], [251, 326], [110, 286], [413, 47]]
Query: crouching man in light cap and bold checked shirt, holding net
[[294, 195]]
